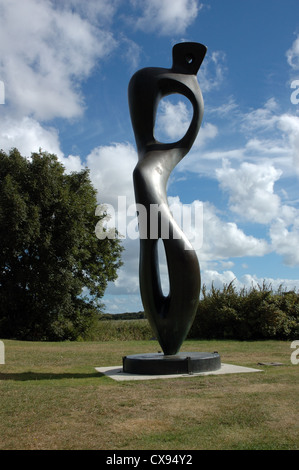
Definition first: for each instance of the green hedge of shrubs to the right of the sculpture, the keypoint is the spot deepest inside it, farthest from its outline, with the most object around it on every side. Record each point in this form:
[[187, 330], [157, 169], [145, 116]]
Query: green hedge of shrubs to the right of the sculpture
[[257, 313]]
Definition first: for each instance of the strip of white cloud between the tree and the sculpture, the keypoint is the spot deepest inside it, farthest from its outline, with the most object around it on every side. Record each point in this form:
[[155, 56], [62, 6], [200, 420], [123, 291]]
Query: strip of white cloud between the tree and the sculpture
[[111, 171]]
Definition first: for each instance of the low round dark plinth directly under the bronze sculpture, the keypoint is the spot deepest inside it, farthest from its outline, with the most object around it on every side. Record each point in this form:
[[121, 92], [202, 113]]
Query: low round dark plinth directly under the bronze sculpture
[[181, 363]]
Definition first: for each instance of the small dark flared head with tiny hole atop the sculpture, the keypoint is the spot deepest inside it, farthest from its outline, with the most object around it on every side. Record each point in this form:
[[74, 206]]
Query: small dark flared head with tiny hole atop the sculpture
[[187, 57]]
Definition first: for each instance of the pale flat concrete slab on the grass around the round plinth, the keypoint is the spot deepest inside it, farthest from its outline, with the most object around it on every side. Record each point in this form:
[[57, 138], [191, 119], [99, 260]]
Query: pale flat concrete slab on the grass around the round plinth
[[116, 373]]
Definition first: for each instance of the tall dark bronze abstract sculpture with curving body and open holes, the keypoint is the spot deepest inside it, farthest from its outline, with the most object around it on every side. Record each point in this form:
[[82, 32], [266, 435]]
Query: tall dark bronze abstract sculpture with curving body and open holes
[[170, 316]]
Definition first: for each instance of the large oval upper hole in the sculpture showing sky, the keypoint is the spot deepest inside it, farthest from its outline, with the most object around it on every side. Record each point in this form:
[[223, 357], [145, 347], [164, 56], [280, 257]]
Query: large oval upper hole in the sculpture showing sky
[[173, 118]]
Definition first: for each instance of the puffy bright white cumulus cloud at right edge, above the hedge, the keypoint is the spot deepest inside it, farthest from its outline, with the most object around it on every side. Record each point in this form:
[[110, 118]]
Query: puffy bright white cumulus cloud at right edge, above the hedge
[[252, 196]]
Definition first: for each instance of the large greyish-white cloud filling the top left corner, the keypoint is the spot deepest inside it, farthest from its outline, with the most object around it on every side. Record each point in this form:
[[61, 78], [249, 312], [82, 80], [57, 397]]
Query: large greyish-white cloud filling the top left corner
[[45, 53]]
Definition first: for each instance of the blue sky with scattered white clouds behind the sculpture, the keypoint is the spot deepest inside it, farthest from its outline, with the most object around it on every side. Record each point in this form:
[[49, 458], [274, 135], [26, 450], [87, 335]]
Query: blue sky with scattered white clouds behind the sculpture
[[66, 66]]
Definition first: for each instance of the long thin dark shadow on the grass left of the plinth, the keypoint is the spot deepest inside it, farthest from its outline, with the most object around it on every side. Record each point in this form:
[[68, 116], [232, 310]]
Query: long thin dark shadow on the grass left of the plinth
[[24, 376]]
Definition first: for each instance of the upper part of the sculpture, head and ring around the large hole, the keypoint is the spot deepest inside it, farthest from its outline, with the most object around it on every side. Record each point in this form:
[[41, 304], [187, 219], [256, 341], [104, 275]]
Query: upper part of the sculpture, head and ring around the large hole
[[149, 85]]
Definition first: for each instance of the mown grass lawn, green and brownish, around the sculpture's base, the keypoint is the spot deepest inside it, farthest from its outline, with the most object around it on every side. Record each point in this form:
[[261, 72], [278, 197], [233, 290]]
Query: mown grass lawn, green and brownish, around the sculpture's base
[[53, 398]]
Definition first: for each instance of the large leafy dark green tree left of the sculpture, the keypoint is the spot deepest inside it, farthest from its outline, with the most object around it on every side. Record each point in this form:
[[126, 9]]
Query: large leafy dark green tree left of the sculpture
[[53, 269]]
